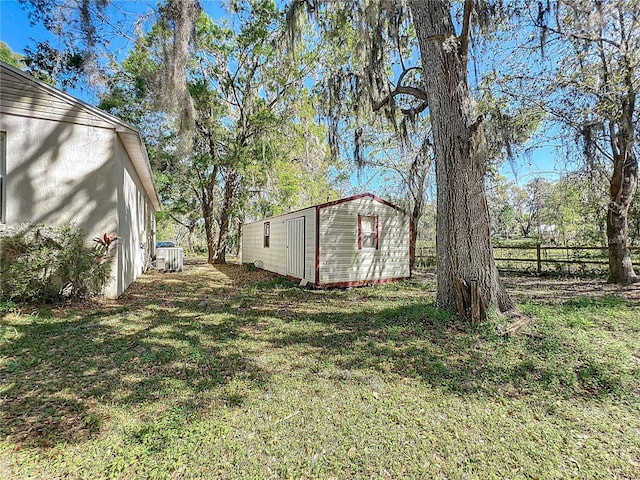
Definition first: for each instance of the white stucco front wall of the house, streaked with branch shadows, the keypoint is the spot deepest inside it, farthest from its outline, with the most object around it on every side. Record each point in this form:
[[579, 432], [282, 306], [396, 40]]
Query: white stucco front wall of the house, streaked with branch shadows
[[51, 178]]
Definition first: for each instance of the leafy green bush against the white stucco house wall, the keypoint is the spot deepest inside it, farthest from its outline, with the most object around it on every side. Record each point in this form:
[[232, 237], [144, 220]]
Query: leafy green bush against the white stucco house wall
[[44, 264]]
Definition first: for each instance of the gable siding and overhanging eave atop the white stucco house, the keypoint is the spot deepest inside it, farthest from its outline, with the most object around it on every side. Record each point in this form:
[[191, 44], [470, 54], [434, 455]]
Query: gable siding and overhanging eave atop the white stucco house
[[78, 112]]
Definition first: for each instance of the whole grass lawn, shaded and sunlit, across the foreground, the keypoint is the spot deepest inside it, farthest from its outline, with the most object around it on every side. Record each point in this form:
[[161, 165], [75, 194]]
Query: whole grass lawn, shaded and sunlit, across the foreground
[[223, 373]]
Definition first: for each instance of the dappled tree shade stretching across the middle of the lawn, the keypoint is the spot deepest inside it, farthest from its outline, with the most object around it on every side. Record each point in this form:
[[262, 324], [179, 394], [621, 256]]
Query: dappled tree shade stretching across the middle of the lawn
[[191, 344]]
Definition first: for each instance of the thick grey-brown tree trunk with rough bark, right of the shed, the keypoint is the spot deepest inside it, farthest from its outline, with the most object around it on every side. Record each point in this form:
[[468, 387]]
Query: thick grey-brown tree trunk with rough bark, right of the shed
[[463, 241]]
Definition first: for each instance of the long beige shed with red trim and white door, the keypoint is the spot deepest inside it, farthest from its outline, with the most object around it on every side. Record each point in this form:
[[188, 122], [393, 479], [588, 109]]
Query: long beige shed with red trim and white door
[[353, 241]]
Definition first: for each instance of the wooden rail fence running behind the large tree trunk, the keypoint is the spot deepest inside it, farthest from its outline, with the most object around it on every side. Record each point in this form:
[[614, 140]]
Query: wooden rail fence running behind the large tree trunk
[[541, 258]]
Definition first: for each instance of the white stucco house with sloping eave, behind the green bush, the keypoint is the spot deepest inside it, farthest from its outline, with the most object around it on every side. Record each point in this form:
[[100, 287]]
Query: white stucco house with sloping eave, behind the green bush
[[63, 161]]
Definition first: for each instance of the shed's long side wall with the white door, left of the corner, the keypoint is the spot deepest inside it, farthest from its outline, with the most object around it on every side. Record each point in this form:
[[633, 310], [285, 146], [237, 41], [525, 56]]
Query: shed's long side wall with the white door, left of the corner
[[274, 257]]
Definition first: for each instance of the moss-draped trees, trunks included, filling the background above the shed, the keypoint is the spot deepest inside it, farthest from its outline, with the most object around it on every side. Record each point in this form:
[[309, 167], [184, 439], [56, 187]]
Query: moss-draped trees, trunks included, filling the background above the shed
[[248, 108]]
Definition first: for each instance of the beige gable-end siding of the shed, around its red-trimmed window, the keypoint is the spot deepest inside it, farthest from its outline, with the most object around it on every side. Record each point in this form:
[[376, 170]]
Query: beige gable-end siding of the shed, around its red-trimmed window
[[340, 258]]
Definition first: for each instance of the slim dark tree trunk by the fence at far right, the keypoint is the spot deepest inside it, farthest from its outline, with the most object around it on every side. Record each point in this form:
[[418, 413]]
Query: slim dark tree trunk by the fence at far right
[[623, 184]]
